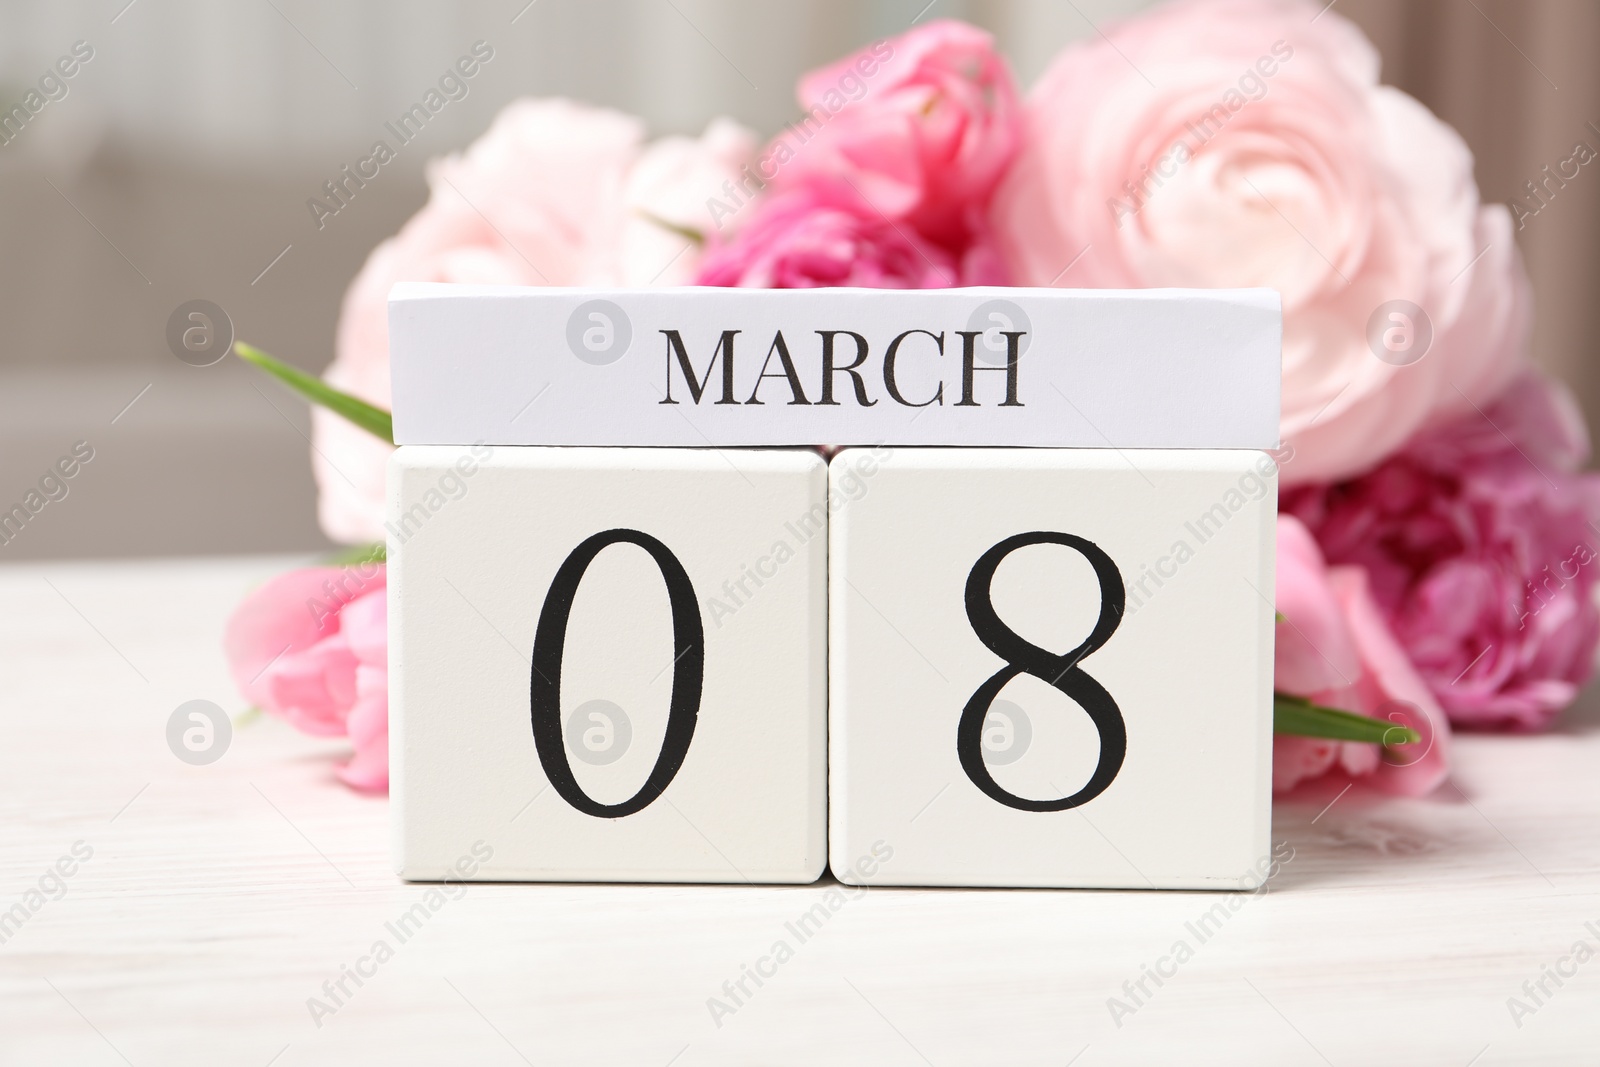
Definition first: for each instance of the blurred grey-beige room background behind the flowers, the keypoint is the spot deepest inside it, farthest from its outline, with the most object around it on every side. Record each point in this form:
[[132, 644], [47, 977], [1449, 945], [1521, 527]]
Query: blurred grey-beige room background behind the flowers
[[178, 162]]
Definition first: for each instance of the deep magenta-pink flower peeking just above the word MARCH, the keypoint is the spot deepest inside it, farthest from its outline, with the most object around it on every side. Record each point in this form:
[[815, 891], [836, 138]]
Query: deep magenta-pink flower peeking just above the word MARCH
[[796, 244]]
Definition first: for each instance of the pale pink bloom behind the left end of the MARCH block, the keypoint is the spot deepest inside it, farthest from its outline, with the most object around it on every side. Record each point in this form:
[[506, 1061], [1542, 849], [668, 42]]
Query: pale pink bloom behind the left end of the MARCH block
[[553, 194]]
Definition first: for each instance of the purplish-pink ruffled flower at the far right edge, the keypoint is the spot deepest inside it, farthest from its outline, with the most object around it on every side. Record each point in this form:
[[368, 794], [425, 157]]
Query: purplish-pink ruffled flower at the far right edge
[[1481, 540]]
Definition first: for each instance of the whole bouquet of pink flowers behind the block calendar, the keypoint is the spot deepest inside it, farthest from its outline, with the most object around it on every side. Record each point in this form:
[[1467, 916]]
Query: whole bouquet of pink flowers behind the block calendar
[[1436, 537]]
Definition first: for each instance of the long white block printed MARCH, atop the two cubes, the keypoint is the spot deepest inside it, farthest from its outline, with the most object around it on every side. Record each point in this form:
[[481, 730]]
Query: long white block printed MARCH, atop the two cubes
[[732, 367]]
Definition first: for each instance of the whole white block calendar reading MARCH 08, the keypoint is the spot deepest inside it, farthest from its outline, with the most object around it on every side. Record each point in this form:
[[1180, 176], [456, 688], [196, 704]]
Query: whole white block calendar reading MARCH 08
[[1020, 634]]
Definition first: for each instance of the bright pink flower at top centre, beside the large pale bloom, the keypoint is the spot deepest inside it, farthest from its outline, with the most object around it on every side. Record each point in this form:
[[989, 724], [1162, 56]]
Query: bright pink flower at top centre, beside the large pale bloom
[[922, 127]]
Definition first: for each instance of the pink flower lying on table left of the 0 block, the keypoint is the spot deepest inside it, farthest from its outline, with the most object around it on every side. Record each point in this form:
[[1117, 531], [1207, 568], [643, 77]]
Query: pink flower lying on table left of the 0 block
[[313, 647]]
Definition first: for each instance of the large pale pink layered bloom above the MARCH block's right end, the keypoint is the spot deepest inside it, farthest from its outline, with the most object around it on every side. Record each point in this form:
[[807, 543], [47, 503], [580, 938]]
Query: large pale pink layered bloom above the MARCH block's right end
[[1247, 143]]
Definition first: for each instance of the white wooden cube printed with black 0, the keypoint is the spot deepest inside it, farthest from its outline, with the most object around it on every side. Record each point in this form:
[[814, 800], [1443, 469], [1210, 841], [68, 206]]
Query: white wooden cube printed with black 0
[[574, 629]]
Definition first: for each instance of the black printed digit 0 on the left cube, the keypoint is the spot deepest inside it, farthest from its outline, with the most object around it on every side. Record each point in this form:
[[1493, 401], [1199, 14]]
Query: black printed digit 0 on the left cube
[[689, 673]]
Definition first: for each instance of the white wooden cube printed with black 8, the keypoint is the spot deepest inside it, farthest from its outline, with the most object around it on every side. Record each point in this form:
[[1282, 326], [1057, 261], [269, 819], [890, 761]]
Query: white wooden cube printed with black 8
[[1052, 668]]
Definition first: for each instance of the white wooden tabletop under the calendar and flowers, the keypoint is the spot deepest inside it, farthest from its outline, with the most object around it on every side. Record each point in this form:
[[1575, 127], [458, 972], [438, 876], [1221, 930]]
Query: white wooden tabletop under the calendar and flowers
[[222, 898]]
